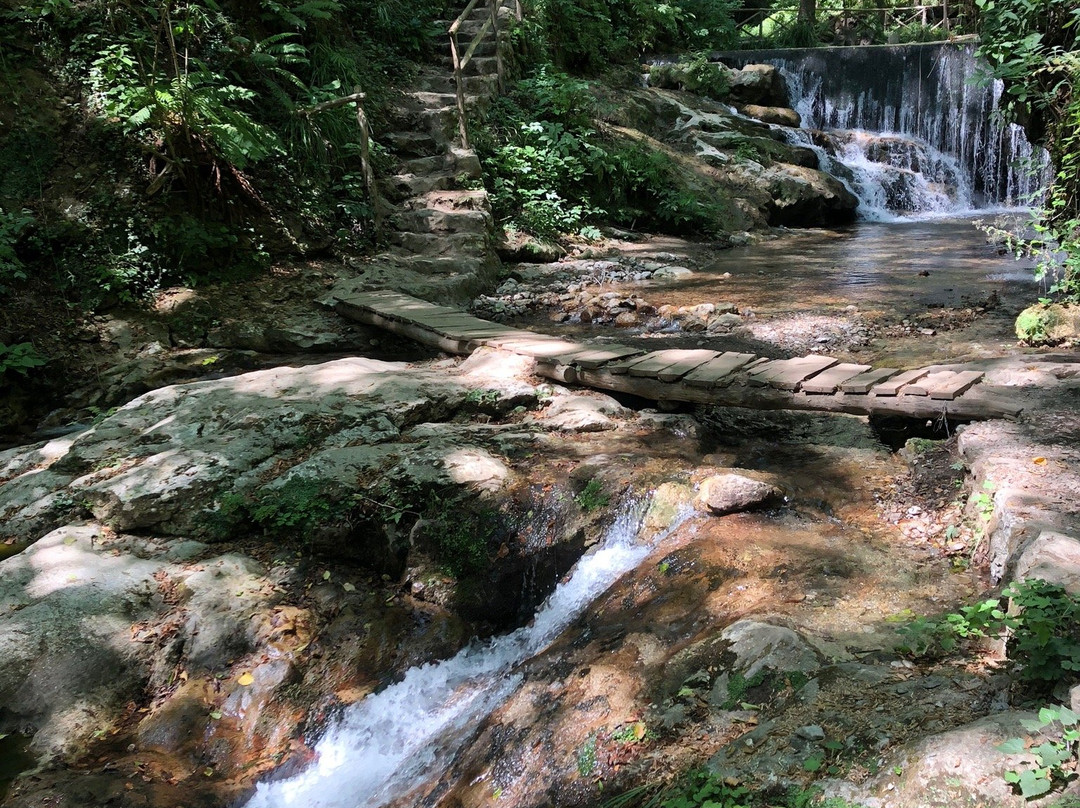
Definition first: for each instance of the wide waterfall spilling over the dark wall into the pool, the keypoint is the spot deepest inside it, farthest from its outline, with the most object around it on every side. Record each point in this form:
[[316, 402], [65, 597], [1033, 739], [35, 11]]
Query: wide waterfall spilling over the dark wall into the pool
[[912, 130]]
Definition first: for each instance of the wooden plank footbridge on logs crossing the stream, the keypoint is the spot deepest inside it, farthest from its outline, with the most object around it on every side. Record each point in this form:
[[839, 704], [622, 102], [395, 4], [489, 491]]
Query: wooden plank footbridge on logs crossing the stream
[[698, 376]]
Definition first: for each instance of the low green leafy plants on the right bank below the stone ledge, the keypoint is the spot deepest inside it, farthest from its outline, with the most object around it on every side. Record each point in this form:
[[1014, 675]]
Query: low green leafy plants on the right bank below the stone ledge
[[1044, 632]]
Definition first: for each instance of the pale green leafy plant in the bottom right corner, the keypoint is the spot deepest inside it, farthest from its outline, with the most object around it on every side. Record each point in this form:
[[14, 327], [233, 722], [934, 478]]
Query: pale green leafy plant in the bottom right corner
[[1057, 757]]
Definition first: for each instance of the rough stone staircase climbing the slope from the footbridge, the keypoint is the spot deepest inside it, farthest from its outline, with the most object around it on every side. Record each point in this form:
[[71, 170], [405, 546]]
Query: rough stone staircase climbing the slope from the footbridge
[[438, 223]]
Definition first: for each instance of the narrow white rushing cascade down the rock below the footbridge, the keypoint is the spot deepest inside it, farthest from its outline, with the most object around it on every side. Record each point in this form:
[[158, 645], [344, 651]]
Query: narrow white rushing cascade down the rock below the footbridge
[[384, 746]]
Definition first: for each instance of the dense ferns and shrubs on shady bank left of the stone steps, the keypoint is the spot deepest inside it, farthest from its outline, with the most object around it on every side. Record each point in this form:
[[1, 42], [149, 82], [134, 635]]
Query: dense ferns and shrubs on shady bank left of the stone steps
[[196, 117]]
